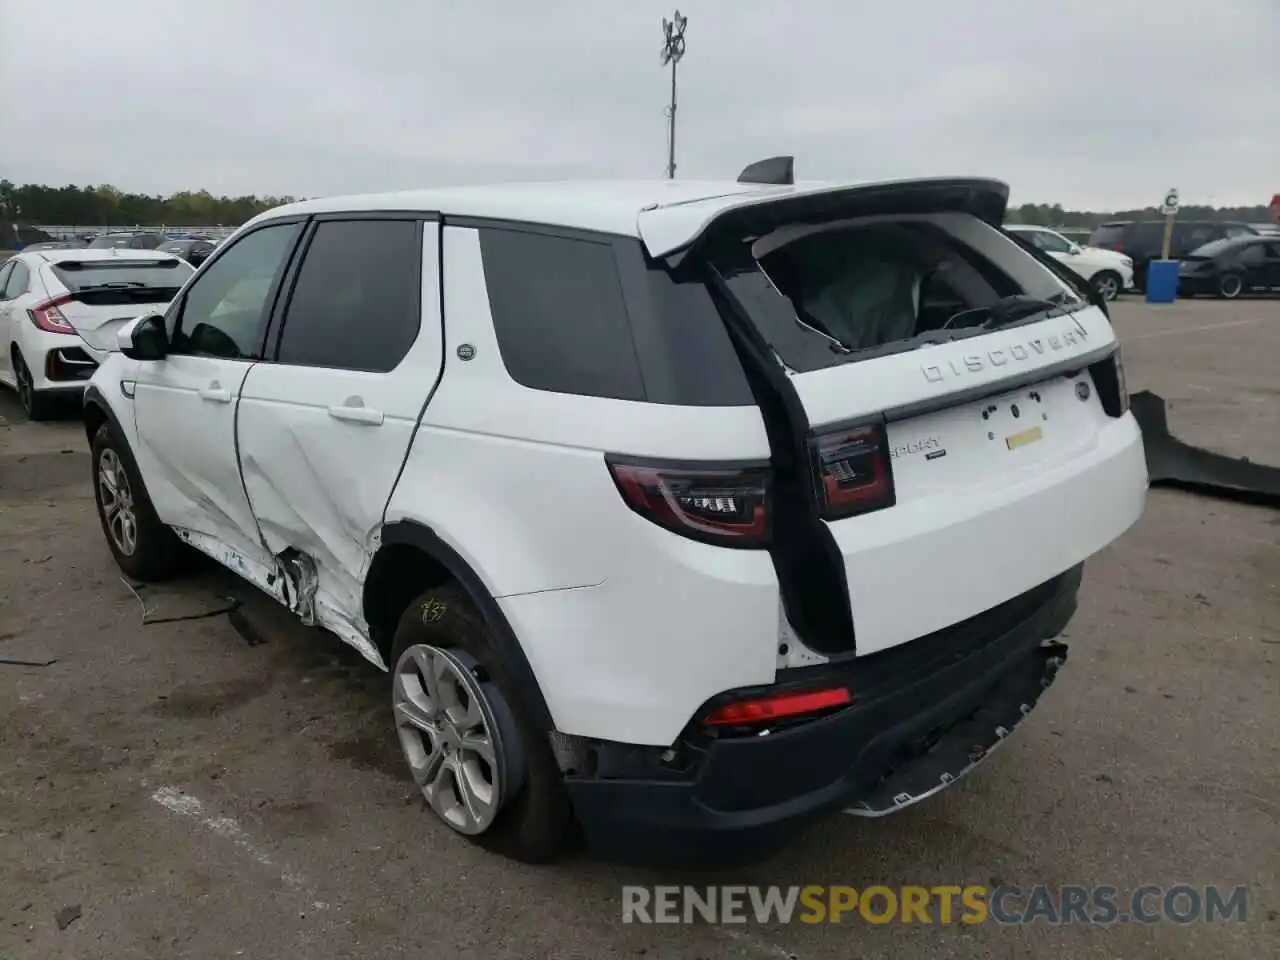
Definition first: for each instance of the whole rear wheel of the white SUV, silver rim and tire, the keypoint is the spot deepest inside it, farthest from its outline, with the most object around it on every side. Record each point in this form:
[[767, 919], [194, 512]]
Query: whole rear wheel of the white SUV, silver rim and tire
[[481, 762]]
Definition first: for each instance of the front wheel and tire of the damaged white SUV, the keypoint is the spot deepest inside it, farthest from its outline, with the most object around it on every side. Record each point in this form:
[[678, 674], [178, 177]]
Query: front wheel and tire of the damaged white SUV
[[143, 546]]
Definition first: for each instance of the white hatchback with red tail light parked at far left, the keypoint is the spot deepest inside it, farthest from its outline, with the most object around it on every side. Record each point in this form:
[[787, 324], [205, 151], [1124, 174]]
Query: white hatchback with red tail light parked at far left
[[44, 291]]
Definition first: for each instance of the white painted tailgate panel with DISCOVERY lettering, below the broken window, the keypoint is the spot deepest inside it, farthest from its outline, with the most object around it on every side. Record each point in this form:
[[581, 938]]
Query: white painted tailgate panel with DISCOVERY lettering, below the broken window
[[1007, 472]]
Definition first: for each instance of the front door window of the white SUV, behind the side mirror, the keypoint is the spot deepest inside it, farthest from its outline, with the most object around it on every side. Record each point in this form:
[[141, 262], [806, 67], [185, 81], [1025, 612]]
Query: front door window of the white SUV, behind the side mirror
[[225, 313]]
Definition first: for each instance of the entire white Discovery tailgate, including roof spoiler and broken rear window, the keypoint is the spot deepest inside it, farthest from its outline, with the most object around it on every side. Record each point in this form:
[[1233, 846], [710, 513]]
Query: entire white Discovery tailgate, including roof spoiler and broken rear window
[[1005, 465]]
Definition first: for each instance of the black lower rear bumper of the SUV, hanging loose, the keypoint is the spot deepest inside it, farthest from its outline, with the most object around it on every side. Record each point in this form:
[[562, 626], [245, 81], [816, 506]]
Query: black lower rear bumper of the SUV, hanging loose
[[924, 716]]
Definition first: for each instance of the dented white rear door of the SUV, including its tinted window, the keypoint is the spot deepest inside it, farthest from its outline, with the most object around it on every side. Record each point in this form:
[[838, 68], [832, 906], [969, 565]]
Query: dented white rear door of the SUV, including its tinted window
[[324, 428]]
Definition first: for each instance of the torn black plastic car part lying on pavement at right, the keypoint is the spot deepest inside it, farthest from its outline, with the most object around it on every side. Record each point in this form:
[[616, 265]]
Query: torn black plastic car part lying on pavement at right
[[1171, 463]]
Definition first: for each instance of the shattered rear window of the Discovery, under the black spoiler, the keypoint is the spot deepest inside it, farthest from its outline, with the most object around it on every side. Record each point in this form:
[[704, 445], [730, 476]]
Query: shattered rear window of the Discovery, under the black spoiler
[[852, 292]]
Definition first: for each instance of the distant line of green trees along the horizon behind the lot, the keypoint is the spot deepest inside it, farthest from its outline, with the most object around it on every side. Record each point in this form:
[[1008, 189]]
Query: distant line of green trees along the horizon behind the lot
[[107, 205]]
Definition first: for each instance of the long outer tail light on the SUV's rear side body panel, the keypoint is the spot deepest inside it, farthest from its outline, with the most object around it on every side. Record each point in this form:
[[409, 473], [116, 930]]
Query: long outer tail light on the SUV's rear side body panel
[[723, 505]]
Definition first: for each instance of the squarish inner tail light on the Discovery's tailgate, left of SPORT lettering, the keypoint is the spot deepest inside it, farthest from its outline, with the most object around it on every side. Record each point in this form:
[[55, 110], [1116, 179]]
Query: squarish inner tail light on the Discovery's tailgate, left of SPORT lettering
[[853, 472]]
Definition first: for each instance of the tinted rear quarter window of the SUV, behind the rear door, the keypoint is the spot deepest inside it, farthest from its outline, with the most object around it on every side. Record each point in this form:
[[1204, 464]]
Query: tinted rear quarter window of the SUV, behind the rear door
[[560, 316]]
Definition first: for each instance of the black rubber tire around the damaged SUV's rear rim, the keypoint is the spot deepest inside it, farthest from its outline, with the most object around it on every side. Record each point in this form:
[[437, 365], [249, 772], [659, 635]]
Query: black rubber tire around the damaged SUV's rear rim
[[536, 825]]
